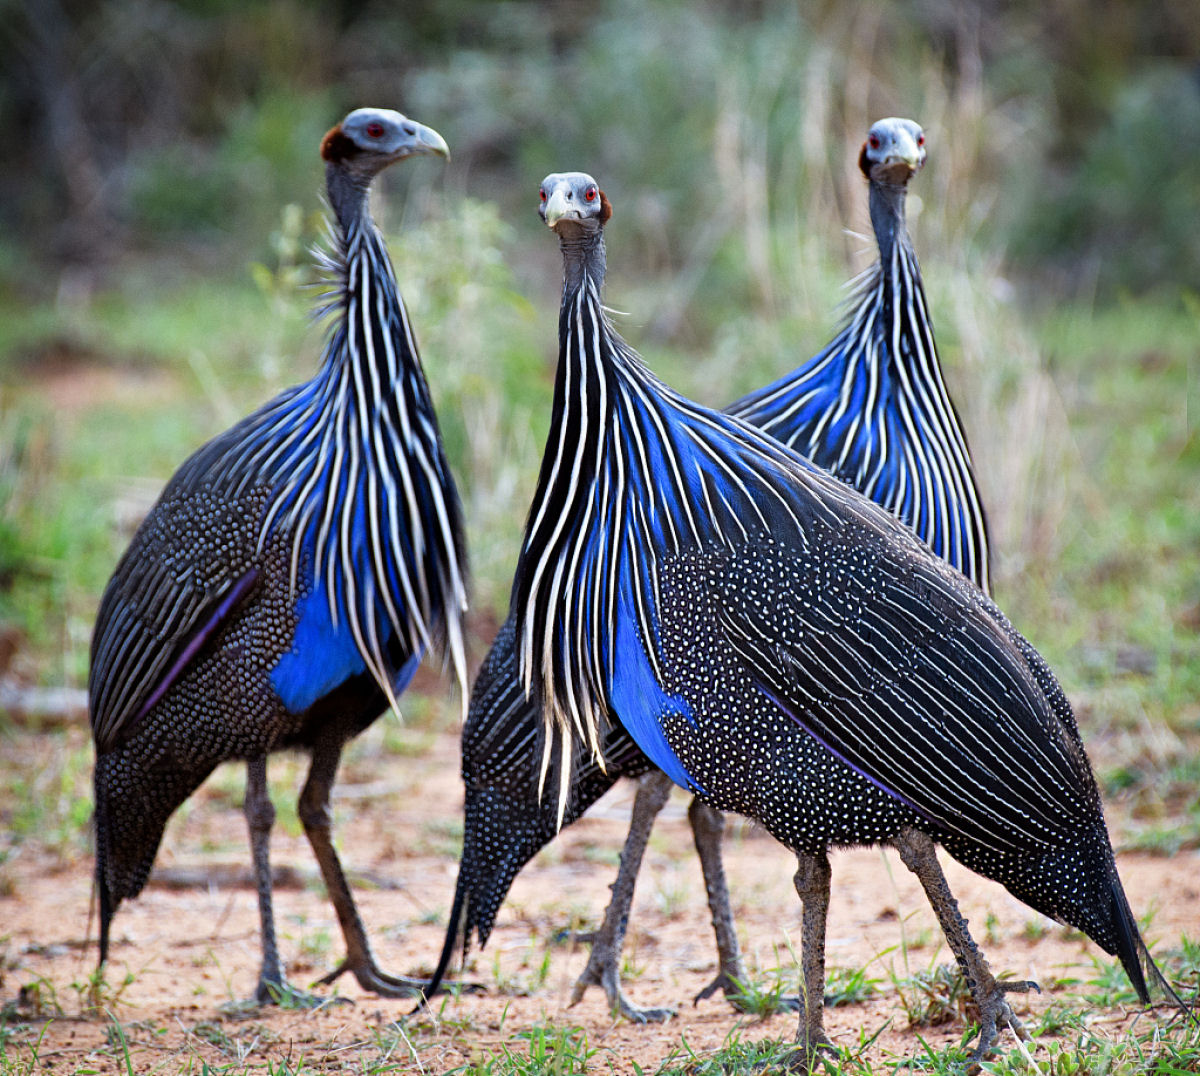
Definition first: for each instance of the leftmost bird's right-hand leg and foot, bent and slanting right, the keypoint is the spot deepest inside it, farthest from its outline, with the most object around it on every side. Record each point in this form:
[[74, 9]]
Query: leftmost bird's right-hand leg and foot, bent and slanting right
[[314, 811]]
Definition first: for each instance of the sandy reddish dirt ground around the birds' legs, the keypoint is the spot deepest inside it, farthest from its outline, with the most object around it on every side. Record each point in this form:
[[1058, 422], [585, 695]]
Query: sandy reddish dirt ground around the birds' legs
[[190, 942]]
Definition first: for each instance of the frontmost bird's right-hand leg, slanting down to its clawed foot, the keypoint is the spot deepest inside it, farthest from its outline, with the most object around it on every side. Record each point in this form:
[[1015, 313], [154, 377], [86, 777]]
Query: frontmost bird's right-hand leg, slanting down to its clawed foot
[[921, 857]]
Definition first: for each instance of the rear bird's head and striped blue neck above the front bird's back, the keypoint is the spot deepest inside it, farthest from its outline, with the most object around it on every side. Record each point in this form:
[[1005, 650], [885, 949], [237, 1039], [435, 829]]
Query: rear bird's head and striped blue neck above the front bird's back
[[873, 407]]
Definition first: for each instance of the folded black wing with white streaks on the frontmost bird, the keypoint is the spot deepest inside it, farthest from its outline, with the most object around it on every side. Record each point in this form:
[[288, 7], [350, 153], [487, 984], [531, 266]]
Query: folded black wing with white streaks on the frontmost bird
[[916, 681]]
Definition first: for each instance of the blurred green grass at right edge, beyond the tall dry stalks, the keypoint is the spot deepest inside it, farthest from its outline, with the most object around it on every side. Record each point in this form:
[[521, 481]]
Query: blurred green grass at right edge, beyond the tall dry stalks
[[1114, 610]]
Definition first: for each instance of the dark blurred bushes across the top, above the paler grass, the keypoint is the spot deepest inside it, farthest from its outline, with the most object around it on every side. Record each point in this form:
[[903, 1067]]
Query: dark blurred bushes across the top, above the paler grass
[[141, 125]]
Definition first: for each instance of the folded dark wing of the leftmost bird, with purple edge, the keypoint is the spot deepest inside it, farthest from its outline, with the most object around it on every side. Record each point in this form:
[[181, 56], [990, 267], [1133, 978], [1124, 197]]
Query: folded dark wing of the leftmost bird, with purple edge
[[187, 573]]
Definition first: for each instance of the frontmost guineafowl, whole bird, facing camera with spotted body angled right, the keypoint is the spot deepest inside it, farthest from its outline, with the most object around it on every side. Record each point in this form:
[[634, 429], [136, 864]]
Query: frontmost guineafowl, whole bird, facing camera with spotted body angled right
[[785, 648]]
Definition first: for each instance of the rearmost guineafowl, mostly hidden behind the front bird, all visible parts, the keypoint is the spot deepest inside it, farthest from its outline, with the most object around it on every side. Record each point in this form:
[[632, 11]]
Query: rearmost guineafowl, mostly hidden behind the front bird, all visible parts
[[873, 410]]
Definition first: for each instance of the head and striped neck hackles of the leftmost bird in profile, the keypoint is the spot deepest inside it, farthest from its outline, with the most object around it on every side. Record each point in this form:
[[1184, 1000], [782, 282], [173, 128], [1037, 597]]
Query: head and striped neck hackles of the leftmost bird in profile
[[356, 455]]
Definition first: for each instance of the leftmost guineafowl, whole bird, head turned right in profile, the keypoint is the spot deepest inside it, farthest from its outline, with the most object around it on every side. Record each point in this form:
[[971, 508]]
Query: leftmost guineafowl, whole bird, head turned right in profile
[[289, 581]]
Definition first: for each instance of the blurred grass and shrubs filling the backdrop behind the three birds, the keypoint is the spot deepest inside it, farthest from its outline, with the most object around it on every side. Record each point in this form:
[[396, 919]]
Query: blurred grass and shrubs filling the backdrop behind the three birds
[[160, 190]]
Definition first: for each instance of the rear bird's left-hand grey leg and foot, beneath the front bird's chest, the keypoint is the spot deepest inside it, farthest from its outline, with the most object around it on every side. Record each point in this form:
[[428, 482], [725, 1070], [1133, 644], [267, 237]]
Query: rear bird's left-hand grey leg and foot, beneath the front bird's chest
[[603, 967]]
